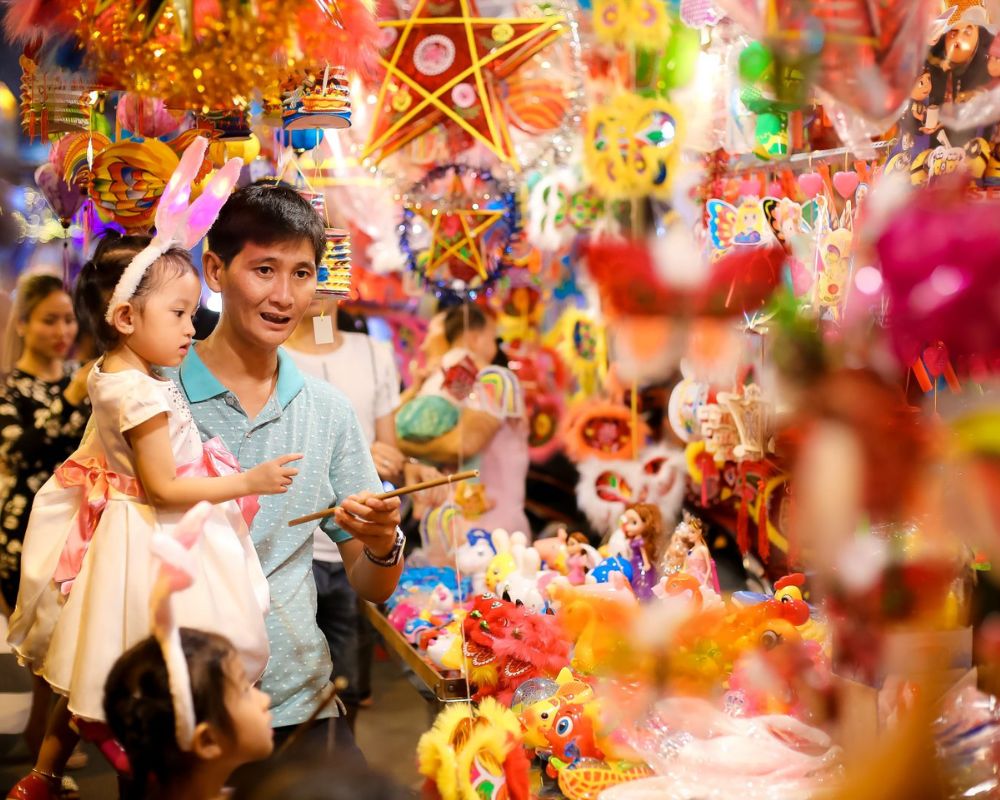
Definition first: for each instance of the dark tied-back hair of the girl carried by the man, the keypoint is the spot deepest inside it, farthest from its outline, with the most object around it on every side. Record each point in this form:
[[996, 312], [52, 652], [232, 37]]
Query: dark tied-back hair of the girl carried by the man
[[100, 275]]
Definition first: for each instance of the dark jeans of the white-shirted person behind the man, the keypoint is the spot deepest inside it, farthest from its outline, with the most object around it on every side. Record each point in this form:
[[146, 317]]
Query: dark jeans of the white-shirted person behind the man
[[338, 617]]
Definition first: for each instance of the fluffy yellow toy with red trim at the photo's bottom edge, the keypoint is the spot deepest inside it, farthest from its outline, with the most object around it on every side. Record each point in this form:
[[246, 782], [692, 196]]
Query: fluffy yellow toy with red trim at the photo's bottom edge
[[473, 753]]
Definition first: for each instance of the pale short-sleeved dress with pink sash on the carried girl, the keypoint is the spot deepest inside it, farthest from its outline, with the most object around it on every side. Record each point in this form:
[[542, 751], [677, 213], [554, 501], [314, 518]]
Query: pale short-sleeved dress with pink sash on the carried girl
[[87, 567]]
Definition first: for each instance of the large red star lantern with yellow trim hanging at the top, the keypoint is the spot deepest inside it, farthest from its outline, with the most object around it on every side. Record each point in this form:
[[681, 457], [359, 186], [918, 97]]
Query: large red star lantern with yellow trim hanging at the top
[[444, 64]]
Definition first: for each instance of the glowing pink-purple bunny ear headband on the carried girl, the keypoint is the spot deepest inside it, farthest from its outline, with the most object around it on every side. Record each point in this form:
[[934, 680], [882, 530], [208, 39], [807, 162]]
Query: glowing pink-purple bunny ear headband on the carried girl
[[177, 223]]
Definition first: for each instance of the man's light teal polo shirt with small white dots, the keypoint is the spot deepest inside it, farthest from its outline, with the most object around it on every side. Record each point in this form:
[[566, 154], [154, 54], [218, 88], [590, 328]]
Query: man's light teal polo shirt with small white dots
[[303, 415]]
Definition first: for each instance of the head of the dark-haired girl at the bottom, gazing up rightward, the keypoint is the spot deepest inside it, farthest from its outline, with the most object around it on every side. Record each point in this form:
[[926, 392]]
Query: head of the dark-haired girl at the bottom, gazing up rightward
[[232, 723]]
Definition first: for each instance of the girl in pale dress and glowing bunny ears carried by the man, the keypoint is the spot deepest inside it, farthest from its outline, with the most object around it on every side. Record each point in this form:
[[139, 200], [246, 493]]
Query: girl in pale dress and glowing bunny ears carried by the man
[[87, 565]]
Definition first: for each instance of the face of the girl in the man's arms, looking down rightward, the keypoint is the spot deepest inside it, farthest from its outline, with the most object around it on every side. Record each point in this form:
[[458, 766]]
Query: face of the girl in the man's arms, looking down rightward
[[163, 328]]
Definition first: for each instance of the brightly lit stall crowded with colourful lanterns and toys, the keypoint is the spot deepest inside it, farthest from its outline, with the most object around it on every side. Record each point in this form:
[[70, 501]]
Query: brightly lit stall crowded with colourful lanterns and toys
[[742, 261]]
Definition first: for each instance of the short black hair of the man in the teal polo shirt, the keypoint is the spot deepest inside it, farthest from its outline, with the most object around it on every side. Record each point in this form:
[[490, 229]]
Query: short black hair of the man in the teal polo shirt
[[263, 213]]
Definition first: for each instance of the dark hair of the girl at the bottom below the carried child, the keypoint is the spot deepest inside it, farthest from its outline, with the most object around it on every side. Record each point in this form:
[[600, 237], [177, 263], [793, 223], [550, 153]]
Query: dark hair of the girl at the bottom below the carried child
[[140, 711]]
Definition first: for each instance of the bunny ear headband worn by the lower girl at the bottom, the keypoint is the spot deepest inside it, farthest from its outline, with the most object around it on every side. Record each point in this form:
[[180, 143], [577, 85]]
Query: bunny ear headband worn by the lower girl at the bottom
[[177, 571]]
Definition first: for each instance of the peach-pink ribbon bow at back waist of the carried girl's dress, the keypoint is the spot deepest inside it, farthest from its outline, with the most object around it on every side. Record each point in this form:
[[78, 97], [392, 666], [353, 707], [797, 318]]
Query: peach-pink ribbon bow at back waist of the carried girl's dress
[[94, 478]]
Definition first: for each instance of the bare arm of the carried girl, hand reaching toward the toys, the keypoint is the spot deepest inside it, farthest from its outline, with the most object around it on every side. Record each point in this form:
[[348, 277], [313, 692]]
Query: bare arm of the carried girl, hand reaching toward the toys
[[157, 472]]
